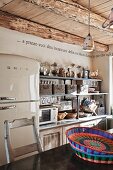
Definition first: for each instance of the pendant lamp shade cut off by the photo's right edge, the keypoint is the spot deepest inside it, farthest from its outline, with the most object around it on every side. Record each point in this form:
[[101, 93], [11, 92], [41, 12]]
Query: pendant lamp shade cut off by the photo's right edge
[[108, 23]]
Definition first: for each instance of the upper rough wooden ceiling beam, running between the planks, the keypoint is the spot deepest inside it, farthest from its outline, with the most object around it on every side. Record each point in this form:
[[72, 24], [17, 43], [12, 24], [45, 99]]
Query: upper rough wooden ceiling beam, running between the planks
[[74, 11]]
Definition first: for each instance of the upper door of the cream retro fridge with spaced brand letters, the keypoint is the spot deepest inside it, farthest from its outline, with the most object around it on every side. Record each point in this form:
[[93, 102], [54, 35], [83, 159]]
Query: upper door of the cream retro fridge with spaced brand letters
[[19, 78]]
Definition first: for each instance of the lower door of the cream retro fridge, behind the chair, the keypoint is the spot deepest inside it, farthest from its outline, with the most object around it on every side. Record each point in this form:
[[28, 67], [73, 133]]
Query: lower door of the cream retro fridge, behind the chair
[[13, 111]]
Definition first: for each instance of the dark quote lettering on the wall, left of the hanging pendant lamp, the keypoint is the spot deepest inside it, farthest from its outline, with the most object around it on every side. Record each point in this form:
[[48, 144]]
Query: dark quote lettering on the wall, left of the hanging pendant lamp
[[48, 46]]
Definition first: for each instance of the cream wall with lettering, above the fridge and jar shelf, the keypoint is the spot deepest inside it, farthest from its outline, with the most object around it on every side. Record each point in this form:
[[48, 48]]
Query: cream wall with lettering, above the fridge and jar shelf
[[13, 42]]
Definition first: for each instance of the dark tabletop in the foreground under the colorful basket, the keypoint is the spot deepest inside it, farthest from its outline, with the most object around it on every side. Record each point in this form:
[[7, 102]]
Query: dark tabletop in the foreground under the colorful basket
[[60, 158]]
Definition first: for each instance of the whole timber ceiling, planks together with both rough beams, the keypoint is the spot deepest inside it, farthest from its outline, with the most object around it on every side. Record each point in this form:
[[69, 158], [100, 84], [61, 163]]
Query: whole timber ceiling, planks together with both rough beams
[[65, 18]]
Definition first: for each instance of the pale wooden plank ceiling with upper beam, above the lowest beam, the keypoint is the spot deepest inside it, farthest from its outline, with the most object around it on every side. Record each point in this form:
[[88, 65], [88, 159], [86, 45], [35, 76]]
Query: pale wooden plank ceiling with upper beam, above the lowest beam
[[67, 16]]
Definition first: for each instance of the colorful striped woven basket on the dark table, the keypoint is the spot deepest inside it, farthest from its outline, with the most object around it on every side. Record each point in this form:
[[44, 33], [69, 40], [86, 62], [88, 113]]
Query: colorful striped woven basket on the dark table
[[91, 144]]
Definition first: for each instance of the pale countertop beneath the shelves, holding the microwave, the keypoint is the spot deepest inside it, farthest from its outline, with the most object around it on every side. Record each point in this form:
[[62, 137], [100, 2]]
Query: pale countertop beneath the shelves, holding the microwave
[[66, 122]]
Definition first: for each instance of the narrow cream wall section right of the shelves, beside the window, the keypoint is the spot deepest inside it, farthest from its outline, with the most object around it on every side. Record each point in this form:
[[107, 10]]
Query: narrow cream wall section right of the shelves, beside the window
[[103, 62]]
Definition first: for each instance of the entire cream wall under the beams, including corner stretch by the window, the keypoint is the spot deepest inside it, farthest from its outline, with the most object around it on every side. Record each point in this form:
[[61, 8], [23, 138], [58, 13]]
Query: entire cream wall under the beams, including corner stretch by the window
[[16, 43]]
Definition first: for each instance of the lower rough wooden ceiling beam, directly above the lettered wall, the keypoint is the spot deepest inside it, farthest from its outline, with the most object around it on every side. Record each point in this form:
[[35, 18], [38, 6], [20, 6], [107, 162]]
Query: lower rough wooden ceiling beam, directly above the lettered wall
[[15, 23]]
